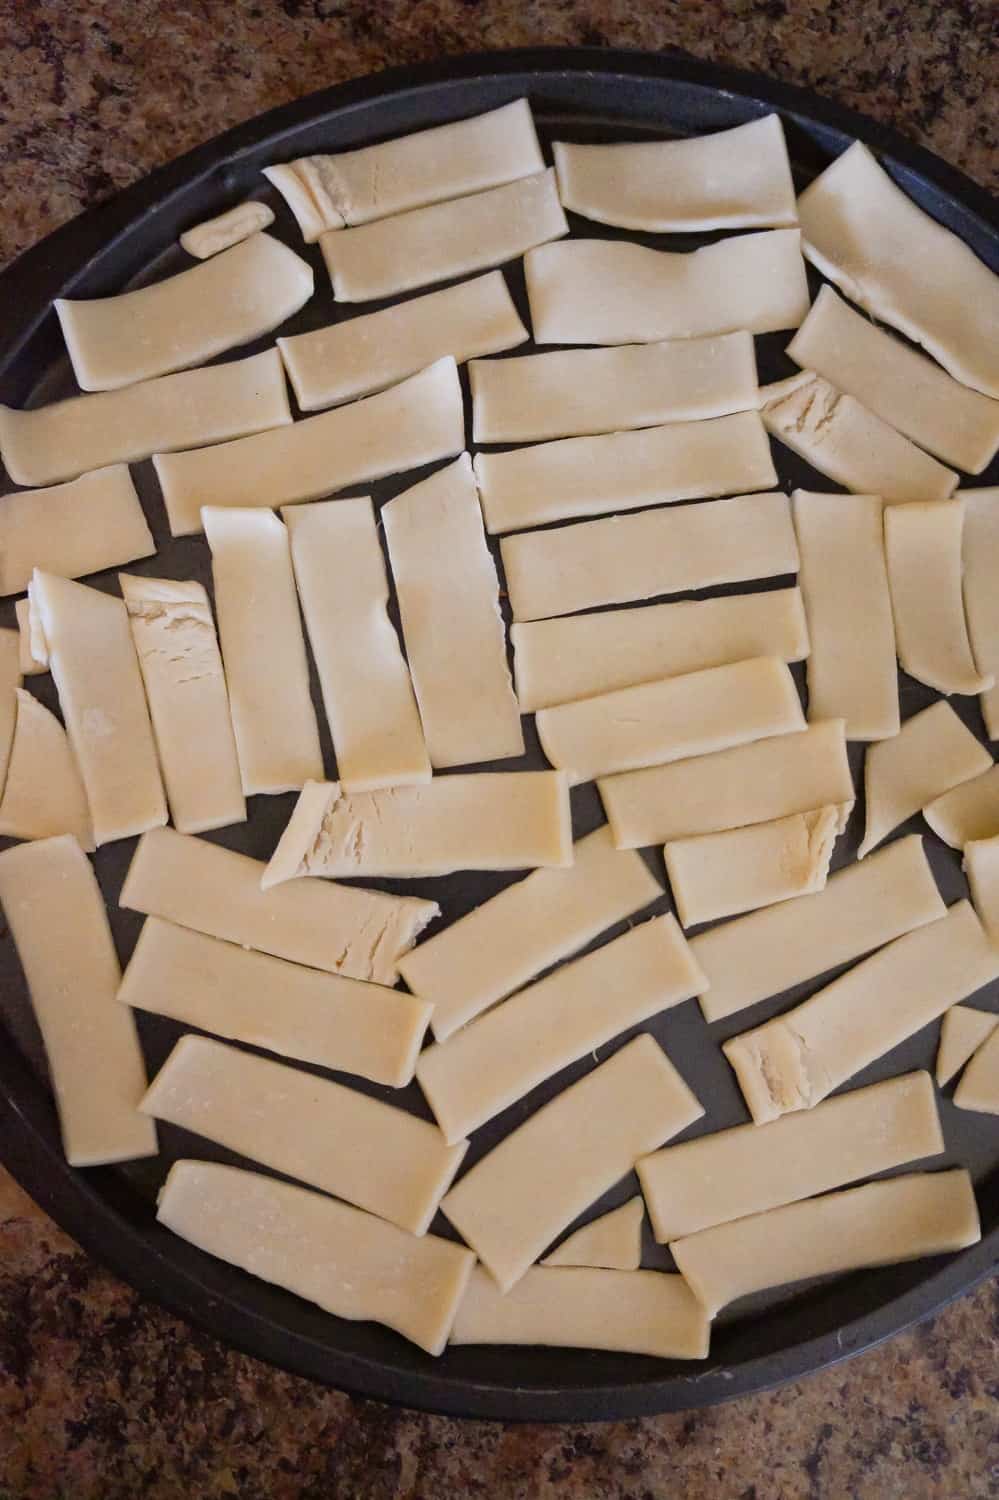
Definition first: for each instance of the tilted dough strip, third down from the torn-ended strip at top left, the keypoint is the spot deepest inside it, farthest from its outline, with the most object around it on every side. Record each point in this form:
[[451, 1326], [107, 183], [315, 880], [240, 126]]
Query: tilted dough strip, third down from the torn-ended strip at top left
[[374, 350]]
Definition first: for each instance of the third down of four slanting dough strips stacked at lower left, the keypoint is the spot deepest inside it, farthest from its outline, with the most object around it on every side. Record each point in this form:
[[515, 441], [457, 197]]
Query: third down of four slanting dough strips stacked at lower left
[[337, 1139]]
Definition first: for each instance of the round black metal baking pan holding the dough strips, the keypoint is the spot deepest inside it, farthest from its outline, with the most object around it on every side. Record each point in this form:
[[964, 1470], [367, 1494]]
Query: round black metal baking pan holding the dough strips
[[133, 239]]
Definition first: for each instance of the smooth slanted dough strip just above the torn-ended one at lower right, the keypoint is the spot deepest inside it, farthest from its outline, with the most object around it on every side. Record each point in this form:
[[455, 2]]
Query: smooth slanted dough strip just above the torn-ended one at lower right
[[862, 908]]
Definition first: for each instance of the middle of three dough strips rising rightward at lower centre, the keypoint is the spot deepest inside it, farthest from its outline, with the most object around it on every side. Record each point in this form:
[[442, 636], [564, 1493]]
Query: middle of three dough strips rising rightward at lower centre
[[502, 1057]]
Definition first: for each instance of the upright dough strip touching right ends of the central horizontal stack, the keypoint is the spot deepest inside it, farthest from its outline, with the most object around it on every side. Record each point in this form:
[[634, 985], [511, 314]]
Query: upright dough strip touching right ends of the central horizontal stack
[[844, 581]]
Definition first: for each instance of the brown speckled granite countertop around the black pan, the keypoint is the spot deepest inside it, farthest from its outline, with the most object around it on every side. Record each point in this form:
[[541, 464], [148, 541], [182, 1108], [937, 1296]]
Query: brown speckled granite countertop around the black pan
[[104, 1396]]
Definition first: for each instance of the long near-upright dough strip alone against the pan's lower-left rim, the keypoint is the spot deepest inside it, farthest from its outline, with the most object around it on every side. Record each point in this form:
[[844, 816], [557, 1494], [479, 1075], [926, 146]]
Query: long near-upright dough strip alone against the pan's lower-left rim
[[56, 914]]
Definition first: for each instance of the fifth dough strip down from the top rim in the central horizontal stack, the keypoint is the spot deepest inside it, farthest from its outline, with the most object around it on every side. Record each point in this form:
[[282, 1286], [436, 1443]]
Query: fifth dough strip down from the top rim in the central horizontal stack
[[640, 557]]
